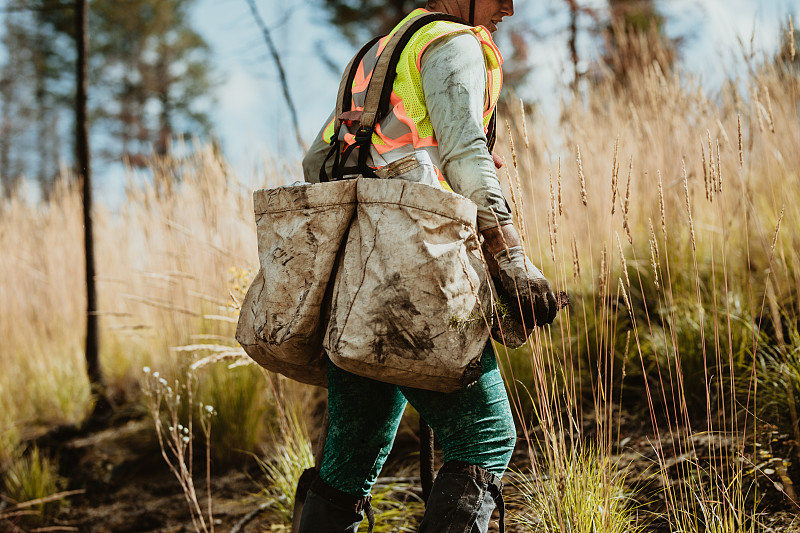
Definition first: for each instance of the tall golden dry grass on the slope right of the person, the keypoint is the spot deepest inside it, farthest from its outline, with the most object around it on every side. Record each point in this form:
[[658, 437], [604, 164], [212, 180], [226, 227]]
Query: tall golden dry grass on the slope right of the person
[[672, 216]]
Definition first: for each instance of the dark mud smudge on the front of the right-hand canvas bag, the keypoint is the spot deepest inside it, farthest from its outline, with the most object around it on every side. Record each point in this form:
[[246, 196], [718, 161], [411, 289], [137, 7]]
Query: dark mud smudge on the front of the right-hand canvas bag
[[393, 327]]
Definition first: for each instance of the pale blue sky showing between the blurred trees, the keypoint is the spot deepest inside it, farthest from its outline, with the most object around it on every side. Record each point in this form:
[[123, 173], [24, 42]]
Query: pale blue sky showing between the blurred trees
[[250, 113]]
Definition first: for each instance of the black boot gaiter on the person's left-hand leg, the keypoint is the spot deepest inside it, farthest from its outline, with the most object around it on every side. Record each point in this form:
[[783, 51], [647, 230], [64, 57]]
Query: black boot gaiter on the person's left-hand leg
[[329, 510]]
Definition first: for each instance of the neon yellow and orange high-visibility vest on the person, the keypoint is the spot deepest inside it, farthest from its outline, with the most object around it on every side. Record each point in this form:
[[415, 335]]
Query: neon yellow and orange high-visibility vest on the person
[[407, 127]]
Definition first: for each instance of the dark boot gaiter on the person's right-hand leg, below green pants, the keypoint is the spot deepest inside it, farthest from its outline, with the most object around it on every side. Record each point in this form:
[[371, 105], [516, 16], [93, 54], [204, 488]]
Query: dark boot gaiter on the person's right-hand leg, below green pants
[[462, 500]]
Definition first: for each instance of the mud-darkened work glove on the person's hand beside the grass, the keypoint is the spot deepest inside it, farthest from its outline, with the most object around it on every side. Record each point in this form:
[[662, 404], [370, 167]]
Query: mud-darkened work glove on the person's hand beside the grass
[[519, 277]]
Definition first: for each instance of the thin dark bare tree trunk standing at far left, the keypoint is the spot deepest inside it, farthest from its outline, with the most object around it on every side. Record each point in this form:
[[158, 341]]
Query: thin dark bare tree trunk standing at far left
[[93, 369]]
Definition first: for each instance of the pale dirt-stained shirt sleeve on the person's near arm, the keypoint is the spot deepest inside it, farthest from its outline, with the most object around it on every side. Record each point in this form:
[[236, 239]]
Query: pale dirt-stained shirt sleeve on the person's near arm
[[454, 84]]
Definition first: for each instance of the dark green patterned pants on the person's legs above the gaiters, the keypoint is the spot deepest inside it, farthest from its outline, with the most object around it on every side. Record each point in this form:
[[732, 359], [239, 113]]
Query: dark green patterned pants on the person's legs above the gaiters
[[473, 424]]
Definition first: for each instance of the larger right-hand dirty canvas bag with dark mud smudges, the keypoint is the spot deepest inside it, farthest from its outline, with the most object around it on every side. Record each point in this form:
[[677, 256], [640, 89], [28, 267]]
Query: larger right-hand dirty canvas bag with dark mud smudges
[[411, 302]]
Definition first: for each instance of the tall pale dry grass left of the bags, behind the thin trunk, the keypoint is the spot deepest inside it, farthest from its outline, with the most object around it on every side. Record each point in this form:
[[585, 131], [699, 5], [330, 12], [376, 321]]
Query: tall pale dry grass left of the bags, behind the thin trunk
[[164, 277]]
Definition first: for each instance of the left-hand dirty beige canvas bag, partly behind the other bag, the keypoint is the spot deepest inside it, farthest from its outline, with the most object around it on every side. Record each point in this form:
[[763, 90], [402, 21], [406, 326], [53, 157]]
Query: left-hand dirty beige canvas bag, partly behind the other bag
[[300, 231]]
